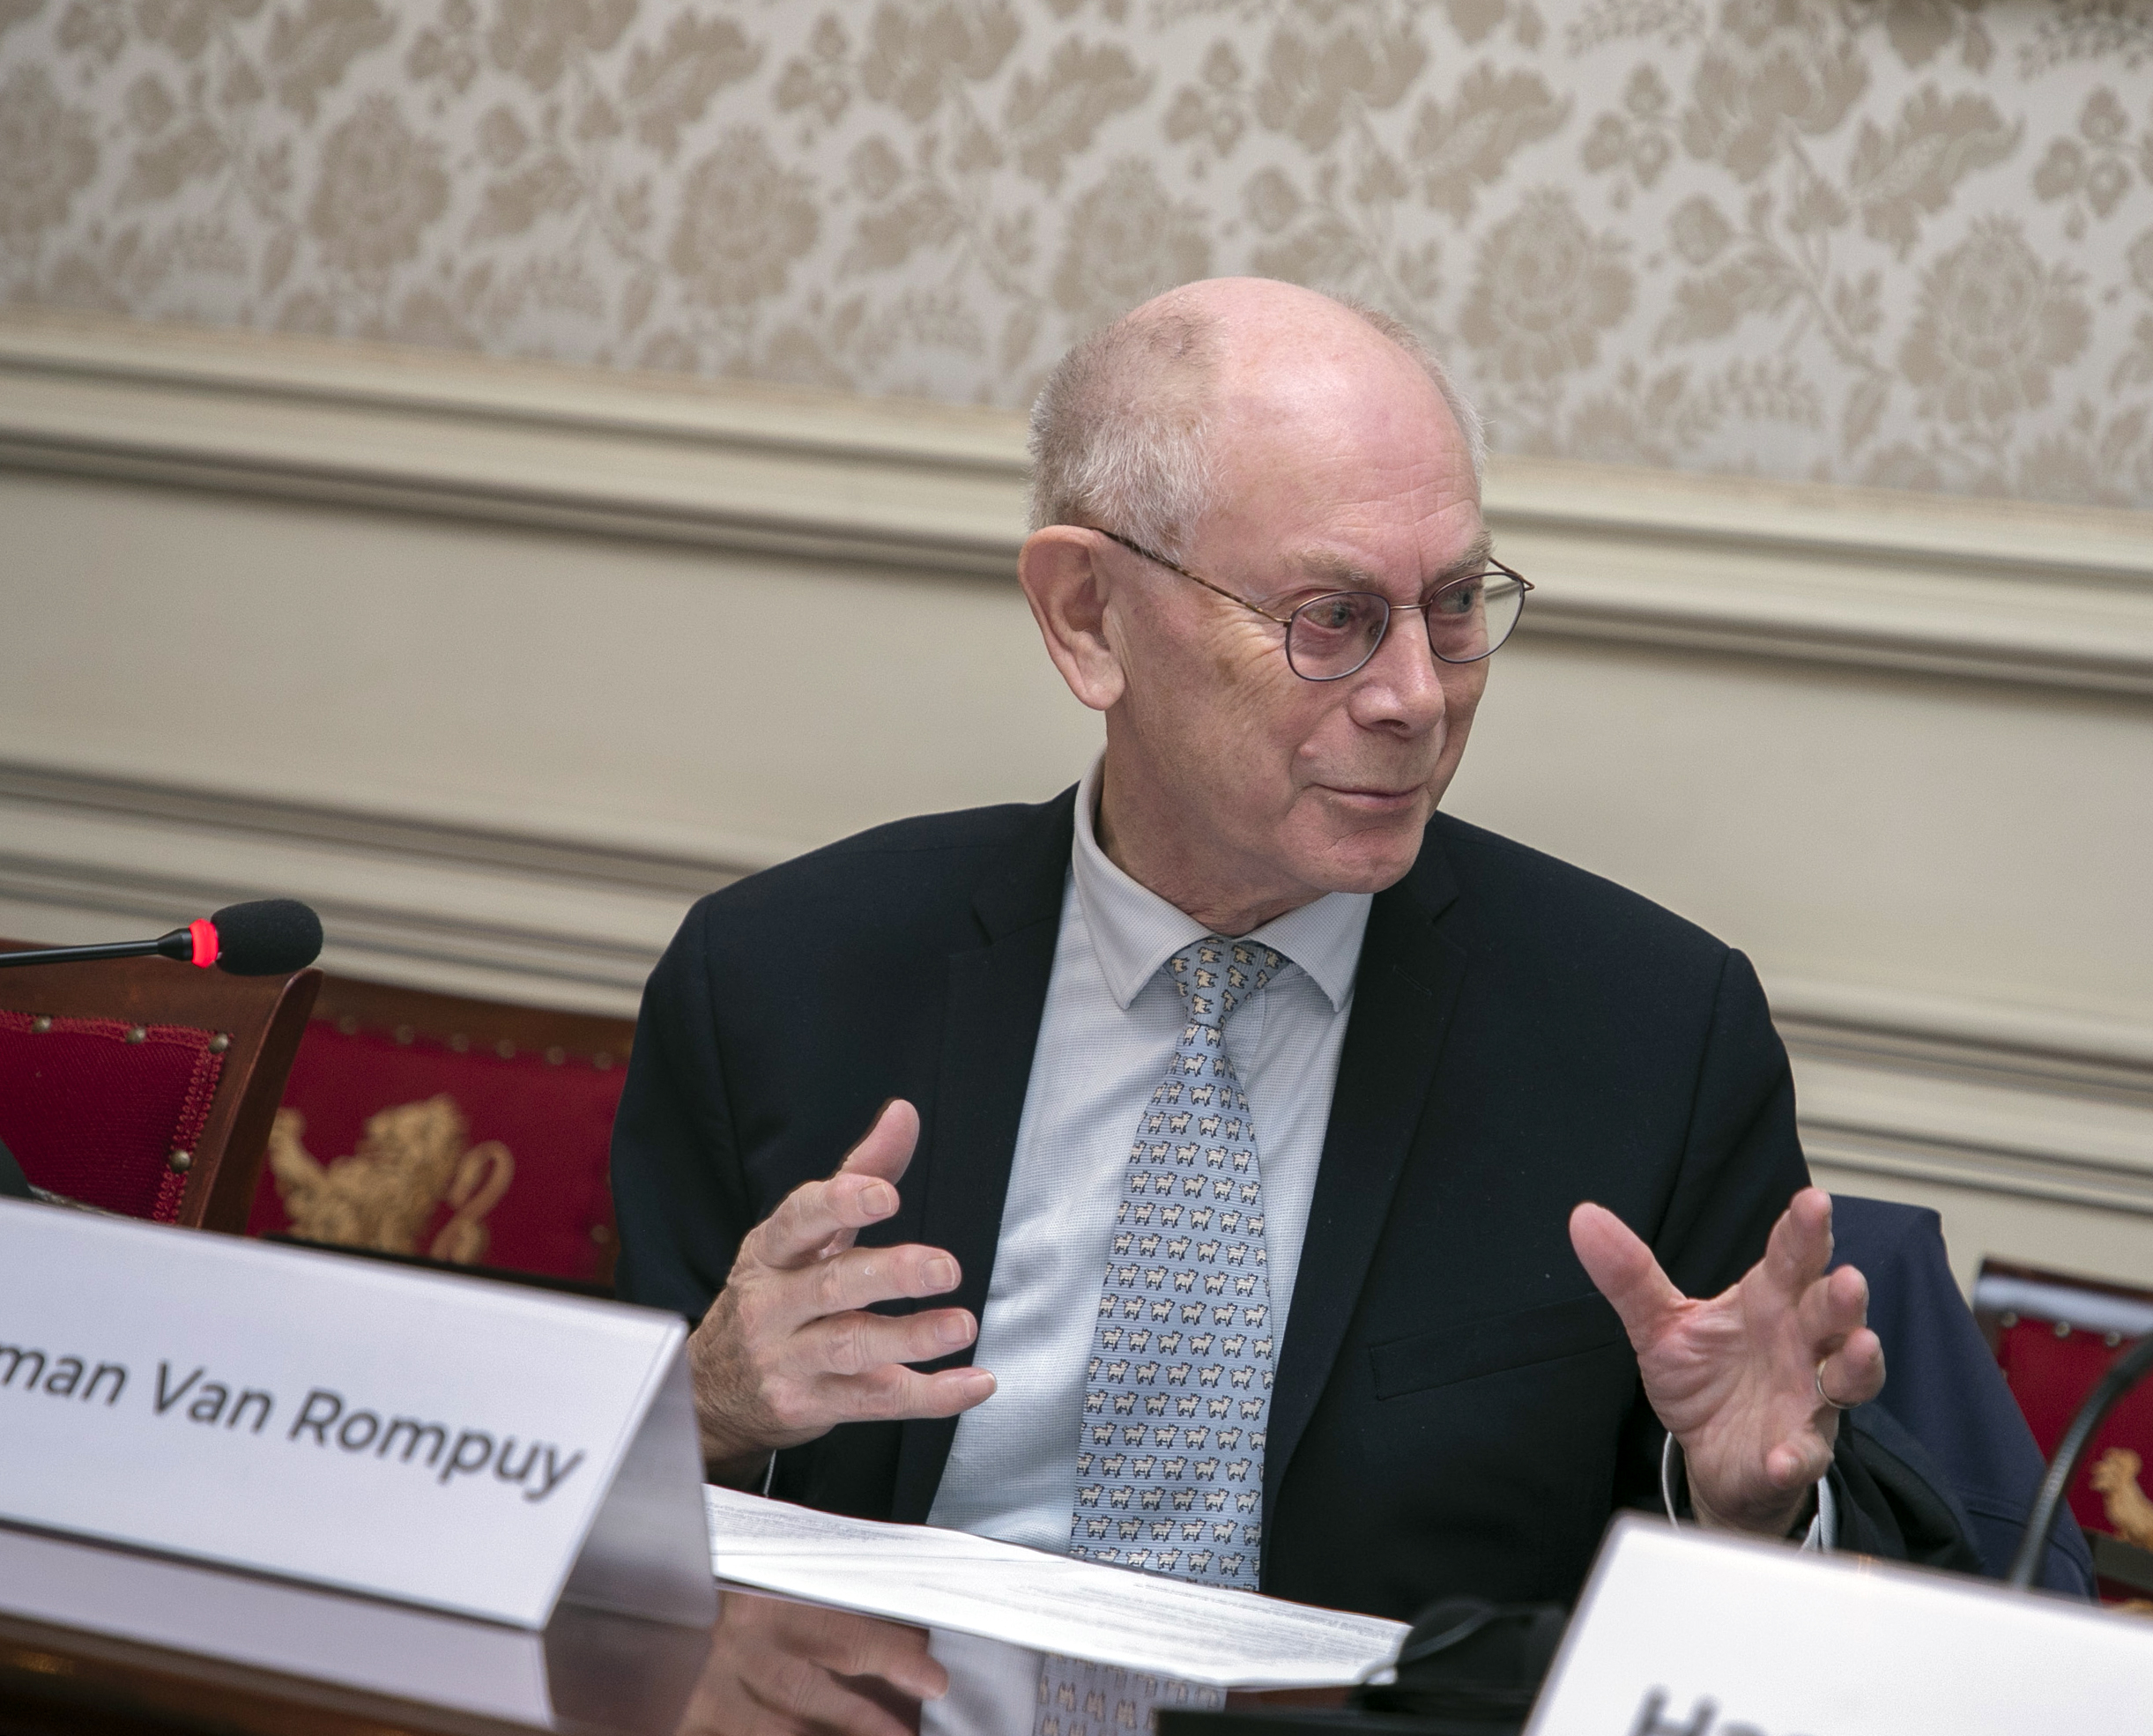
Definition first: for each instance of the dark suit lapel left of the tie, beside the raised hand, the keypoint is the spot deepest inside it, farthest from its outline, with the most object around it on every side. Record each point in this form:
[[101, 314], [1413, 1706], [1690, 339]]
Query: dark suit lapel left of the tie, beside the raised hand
[[991, 1024]]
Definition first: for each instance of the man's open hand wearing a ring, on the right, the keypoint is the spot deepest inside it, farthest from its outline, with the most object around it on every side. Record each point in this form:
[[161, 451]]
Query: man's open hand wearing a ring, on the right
[[1736, 1377]]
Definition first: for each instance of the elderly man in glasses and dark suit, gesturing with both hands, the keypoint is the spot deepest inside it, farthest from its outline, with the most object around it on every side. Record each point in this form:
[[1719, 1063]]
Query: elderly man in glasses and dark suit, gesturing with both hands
[[1267, 1179]]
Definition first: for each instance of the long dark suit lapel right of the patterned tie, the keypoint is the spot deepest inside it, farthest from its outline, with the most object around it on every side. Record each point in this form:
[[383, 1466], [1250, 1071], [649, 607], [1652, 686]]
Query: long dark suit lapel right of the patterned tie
[[1405, 992]]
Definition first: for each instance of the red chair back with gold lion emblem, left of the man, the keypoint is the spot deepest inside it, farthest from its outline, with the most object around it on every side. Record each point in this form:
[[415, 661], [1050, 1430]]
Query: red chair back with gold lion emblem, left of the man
[[451, 1130]]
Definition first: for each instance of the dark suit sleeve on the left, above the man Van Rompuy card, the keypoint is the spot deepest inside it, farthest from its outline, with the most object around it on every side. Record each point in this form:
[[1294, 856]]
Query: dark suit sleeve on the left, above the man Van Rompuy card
[[679, 1196]]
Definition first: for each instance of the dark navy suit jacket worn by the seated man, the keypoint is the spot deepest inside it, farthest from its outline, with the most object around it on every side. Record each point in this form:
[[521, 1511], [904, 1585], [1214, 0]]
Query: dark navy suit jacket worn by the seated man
[[1457, 1408]]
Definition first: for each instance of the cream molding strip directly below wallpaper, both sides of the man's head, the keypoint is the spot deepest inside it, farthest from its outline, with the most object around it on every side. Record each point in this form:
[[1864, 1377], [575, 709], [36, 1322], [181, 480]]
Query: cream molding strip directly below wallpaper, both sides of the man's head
[[1995, 591]]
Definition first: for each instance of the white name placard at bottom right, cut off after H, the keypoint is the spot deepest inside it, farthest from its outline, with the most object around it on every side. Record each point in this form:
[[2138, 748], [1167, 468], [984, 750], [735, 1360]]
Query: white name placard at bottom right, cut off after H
[[1685, 1634]]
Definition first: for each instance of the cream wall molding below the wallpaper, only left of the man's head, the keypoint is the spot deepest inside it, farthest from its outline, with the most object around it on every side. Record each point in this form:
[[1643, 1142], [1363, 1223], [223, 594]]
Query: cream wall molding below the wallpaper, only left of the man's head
[[511, 443]]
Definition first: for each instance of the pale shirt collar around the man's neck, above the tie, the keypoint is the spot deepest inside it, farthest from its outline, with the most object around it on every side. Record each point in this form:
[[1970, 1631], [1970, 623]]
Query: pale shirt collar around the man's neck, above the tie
[[1136, 932]]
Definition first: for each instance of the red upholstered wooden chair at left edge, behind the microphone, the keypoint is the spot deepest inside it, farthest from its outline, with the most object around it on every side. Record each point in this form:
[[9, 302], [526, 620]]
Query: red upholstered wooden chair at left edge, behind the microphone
[[143, 1087]]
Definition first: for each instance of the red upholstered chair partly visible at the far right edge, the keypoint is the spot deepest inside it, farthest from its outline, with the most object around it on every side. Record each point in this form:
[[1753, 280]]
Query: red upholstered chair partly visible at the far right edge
[[2055, 1336]]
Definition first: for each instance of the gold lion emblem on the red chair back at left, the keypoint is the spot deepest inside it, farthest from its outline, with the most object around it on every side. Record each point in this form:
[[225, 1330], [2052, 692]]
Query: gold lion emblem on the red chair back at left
[[410, 1160]]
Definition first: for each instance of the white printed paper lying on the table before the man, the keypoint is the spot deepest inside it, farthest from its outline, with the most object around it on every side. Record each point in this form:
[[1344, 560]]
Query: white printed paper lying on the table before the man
[[1045, 1604]]
